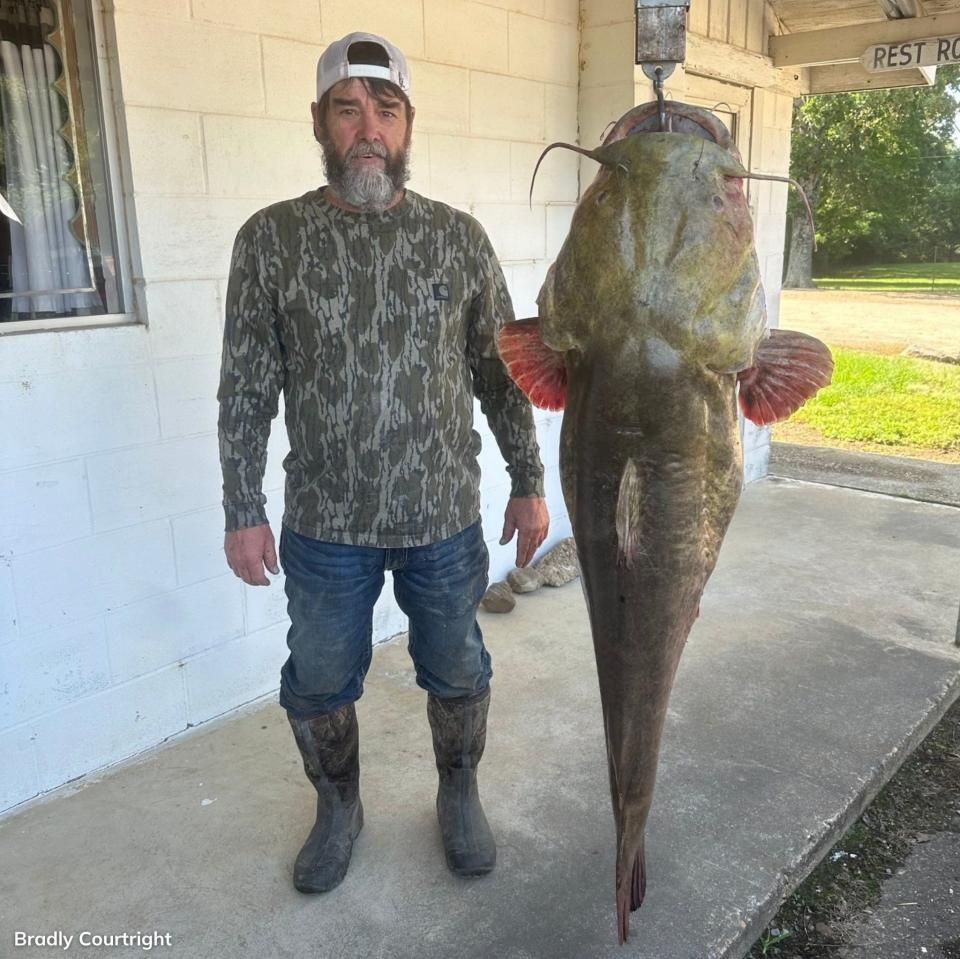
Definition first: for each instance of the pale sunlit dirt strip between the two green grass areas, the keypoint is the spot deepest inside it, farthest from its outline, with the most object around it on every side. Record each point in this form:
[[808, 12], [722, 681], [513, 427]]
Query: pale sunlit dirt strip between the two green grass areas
[[879, 322]]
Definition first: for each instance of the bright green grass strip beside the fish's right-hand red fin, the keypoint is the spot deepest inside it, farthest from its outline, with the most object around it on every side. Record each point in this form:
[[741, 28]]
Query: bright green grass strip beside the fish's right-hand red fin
[[890, 404]]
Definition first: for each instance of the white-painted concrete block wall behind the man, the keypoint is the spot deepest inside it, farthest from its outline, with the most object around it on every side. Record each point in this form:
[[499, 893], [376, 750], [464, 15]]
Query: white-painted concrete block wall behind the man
[[119, 623]]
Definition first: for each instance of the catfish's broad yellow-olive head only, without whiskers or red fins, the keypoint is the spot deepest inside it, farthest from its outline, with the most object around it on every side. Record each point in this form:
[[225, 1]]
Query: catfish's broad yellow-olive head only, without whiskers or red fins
[[661, 244]]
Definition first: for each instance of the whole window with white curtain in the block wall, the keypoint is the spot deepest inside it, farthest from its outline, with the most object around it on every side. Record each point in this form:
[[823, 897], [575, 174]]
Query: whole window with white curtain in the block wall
[[59, 263]]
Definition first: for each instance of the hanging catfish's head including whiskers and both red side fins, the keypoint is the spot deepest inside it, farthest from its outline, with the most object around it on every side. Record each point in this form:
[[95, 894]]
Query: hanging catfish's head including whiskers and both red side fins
[[660, 263]]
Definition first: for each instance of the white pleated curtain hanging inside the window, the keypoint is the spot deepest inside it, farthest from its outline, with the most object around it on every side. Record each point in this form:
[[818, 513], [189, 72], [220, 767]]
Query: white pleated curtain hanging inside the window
[[45, 253]]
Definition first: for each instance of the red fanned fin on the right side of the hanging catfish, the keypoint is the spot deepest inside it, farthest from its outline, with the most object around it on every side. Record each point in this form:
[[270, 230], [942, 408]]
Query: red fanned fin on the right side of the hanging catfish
[[788, 369]]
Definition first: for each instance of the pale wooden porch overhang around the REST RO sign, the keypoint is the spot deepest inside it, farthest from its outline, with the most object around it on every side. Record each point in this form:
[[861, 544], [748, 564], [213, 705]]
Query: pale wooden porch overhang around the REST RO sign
[[820, 42]]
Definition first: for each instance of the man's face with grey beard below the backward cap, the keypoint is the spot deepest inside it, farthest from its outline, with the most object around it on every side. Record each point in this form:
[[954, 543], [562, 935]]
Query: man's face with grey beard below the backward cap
[[365, 144]]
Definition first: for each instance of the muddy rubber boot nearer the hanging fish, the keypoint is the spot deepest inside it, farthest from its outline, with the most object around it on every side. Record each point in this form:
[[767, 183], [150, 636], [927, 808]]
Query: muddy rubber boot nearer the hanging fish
[[459, 728]]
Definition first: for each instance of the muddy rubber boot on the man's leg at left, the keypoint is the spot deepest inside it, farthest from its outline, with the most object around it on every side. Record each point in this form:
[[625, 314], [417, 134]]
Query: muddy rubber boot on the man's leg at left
[[329, 746]]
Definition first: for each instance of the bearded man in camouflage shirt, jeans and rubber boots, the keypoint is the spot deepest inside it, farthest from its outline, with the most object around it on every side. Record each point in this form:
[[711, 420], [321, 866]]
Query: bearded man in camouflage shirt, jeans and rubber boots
[[376, 311]]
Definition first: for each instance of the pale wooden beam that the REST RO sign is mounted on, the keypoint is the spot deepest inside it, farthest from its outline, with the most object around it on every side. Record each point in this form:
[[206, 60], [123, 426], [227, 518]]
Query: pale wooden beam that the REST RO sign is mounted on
[[846, 44]]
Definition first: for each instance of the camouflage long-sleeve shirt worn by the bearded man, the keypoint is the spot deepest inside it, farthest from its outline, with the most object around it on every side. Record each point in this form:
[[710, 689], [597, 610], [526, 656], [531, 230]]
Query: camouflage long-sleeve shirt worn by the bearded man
[[379, 329]]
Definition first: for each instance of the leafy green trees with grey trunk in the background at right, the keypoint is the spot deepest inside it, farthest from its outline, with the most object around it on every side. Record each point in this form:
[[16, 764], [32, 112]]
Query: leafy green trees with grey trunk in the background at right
[[882, 172]]
